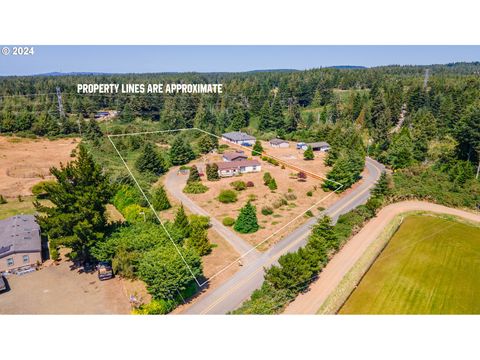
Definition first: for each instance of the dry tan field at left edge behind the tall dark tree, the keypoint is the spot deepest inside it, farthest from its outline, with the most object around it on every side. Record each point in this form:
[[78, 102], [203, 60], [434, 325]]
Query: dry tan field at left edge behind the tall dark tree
[[25, 162]]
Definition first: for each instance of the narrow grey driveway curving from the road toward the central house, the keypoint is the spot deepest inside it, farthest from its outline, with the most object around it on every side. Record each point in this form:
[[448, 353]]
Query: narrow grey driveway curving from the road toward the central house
[[174, 183]]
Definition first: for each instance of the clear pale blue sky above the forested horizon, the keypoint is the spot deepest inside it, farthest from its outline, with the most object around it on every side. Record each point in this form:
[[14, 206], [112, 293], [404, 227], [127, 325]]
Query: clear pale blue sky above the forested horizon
[[143, 59]]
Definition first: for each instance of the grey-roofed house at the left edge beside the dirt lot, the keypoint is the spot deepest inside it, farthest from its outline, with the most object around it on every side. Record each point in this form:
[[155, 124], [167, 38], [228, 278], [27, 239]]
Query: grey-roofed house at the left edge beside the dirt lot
[[20, 243]]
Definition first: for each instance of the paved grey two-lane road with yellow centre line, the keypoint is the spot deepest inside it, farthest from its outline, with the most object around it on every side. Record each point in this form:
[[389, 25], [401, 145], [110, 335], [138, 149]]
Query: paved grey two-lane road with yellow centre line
[[238, 288]]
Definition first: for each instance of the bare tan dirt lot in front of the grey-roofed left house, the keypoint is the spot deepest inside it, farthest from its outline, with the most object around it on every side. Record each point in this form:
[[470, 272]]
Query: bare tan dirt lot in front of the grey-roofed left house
[[59, 290]]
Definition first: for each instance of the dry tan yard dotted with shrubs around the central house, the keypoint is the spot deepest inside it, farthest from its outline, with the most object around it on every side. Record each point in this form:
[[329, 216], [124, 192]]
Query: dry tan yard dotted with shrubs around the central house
[[261, 196]]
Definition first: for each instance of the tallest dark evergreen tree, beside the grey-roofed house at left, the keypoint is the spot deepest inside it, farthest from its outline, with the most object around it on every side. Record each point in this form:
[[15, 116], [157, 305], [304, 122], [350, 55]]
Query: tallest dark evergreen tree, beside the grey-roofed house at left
[[79, 196]]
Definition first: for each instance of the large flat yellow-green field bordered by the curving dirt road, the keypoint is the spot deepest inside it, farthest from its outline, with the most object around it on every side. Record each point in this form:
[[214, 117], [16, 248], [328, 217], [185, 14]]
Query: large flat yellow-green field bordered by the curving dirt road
[[430, 266]]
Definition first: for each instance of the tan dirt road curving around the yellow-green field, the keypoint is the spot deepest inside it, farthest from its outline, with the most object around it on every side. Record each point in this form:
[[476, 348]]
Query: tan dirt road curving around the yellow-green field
[[342, 262]]
